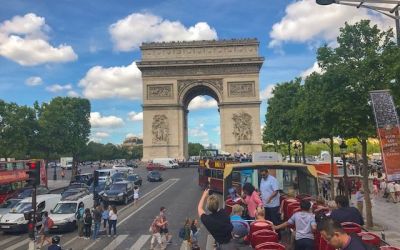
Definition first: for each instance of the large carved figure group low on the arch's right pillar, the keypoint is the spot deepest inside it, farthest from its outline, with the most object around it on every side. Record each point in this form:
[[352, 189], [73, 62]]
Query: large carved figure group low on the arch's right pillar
[[242, 126]]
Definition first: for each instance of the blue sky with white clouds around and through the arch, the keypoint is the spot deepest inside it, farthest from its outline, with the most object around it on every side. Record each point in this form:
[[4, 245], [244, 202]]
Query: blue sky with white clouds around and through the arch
[[89, 48]]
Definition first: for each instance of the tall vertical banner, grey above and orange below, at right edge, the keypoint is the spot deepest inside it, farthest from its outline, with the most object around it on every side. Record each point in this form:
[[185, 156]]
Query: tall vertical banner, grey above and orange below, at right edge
[[387, 123]]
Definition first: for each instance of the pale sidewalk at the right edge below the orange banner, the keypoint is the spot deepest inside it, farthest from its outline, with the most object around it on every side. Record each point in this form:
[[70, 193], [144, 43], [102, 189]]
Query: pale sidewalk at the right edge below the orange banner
[[386, 215]]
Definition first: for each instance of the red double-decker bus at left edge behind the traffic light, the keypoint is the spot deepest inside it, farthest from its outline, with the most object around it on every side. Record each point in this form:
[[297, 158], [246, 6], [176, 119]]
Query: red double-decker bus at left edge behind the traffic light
[[13, 176]]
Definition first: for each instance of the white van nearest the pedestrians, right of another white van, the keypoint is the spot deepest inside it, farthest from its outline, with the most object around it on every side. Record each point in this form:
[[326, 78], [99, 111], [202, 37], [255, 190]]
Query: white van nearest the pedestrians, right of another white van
[[64, 212]]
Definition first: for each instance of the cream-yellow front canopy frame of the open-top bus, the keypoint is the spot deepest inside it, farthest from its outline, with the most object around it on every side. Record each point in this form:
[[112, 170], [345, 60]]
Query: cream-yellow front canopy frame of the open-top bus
[[271, 165]]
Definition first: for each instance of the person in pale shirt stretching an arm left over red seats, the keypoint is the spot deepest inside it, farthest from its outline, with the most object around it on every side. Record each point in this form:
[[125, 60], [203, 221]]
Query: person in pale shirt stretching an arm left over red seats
[[305, 224]]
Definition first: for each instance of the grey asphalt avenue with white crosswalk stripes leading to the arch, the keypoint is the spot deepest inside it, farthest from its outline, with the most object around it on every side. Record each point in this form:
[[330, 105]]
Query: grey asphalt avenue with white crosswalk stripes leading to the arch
[[179, 193]]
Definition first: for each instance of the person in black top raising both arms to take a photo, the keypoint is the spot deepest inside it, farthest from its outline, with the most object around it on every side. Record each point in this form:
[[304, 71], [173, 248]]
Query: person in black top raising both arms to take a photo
[[217, 223]]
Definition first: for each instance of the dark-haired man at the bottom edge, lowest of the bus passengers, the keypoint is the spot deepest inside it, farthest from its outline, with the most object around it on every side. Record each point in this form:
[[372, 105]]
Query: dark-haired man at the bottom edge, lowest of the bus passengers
[[335, 236]]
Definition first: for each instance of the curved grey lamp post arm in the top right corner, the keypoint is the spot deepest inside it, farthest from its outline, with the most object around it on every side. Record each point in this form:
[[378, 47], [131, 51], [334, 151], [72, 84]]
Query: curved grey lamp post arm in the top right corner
[[388, 8]]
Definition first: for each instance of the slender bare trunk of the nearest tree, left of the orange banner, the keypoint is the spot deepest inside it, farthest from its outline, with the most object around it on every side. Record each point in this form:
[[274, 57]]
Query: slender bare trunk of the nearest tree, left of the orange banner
[[368, 207]]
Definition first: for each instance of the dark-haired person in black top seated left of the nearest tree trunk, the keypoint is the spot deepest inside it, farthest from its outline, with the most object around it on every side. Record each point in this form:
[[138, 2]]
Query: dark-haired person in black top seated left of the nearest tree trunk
[[345, 213]]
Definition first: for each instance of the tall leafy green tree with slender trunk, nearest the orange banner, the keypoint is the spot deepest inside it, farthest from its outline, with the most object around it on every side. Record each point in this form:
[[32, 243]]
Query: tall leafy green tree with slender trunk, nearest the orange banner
[[360, 59]]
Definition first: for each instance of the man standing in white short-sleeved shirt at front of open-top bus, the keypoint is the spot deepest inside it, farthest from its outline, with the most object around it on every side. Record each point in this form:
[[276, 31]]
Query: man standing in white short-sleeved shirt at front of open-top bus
[[269, 188]]
